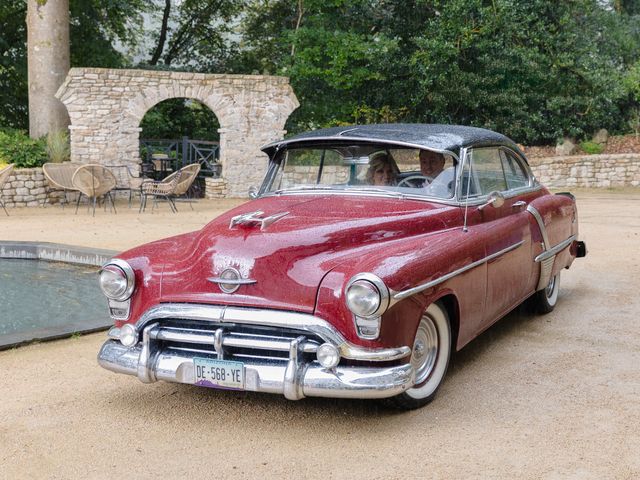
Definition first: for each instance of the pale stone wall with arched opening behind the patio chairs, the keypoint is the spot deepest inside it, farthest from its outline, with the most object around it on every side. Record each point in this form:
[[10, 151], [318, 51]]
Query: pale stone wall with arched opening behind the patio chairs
[[106, 107]]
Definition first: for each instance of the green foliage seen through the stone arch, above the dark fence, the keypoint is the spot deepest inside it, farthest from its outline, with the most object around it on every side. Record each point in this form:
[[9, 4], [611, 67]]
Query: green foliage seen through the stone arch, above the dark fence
[[180, 117]]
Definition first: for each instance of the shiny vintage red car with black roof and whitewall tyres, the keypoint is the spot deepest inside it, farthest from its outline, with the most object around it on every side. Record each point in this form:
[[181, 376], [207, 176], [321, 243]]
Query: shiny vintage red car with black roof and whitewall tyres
[[368, 255]]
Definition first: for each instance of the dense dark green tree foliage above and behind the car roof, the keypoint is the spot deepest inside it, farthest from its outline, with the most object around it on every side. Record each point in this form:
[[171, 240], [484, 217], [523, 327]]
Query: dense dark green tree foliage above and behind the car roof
[[534, 69]]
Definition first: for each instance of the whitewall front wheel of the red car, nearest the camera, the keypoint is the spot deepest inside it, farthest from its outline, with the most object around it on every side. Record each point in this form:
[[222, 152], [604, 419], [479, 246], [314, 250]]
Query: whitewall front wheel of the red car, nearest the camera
[[429, 358]]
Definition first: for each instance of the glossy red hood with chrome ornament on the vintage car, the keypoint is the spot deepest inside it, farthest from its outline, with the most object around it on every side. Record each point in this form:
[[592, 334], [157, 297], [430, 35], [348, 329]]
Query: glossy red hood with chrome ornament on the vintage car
[[287, 258]]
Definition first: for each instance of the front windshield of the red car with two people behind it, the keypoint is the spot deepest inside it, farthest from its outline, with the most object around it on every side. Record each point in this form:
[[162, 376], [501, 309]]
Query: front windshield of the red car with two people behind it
[[409, 171]]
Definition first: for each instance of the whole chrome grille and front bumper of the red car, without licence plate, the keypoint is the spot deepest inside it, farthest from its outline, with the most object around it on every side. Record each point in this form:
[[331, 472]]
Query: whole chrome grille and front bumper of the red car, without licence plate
[[278, 350]]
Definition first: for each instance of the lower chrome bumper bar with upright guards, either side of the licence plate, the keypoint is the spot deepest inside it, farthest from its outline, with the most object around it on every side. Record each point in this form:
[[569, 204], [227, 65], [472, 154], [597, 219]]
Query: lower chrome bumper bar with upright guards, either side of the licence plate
[[293, 378]]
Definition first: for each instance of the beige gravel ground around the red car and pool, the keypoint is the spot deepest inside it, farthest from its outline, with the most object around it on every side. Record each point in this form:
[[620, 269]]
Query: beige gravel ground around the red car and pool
[[548, 397]]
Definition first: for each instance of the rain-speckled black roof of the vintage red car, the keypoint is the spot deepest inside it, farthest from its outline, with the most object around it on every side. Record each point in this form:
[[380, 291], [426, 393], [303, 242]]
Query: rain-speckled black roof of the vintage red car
[[420, 135]]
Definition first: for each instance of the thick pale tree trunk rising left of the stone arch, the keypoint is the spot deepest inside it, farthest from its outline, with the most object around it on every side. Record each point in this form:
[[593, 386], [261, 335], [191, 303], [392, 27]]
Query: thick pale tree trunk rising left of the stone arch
[[48, 47]]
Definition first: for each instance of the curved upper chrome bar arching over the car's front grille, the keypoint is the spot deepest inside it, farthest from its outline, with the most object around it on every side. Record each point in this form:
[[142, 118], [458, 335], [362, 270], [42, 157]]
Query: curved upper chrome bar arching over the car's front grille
[[271, 318]]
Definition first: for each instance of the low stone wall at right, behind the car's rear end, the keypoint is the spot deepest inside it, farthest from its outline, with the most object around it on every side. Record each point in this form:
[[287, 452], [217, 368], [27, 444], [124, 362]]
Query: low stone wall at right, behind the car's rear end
[[589, 171]]
